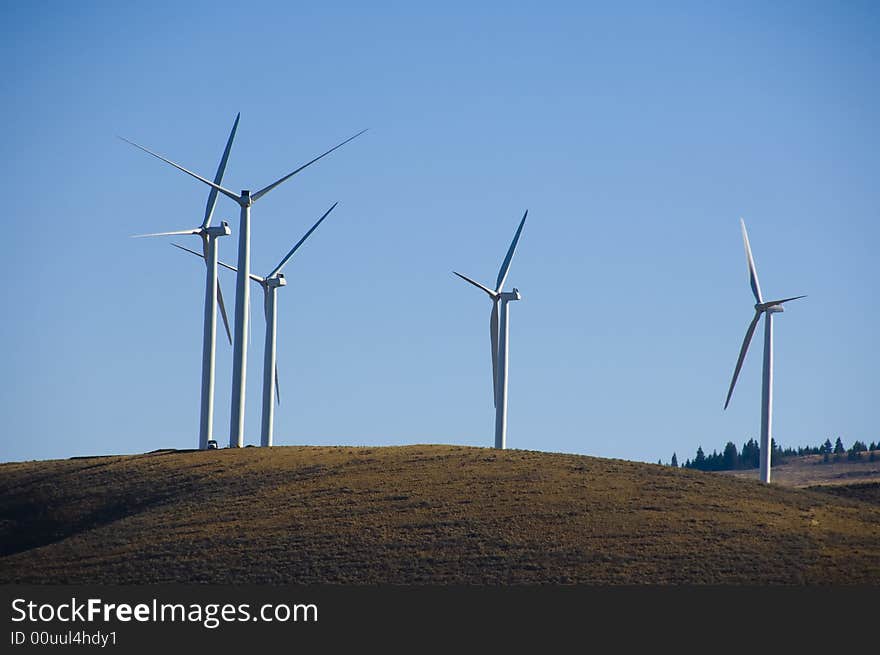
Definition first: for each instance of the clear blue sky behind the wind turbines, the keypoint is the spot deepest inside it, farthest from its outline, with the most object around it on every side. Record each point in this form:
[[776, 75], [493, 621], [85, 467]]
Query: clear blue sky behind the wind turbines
[[636, 134]]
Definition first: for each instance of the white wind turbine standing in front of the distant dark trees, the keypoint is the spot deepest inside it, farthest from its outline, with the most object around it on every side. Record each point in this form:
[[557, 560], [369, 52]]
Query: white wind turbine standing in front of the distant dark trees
[[767, 309]]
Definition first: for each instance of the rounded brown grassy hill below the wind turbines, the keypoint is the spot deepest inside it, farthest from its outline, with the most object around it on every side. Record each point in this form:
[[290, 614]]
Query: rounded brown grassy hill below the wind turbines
[[420, 514]]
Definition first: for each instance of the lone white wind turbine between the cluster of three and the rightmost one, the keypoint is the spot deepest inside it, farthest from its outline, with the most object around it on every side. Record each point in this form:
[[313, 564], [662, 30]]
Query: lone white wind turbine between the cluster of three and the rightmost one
[[498, 331]]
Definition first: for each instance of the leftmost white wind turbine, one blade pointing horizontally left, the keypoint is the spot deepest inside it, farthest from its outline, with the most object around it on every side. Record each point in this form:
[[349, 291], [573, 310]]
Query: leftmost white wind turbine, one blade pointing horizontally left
[[213, 295]]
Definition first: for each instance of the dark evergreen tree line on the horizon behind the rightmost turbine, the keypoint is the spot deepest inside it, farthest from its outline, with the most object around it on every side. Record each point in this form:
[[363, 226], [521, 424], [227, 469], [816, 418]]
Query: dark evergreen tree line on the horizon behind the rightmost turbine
[[749, 457]]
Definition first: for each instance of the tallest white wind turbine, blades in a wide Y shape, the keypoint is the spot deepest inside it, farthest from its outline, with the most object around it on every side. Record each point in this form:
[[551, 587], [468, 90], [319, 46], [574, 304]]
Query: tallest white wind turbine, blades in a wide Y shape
[[242, 290]]
